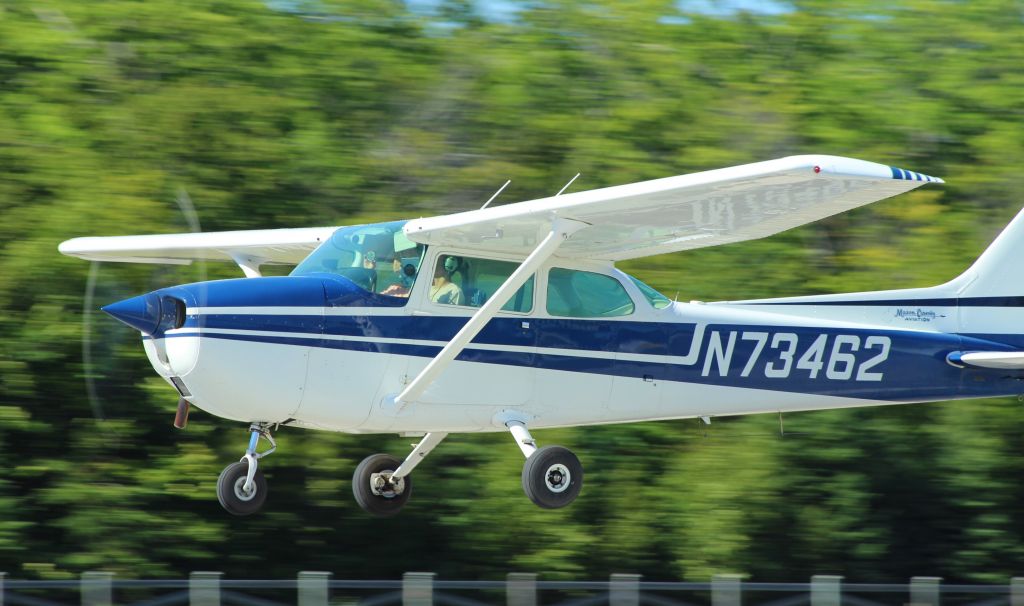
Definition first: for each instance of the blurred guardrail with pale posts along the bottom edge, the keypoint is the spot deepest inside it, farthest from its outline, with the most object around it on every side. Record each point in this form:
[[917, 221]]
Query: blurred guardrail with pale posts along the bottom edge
[[422, 589]]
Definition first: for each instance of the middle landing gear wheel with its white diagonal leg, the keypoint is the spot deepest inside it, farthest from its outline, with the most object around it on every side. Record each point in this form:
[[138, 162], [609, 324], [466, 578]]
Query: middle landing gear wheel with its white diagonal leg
[[381, 484]]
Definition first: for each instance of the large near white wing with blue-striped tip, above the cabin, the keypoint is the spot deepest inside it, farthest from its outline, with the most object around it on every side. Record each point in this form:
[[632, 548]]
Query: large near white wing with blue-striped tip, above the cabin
[[678, 213]]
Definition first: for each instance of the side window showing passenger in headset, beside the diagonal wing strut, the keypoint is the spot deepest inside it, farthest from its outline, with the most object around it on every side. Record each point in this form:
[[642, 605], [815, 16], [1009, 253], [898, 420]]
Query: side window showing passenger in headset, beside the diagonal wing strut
[[471, 282]]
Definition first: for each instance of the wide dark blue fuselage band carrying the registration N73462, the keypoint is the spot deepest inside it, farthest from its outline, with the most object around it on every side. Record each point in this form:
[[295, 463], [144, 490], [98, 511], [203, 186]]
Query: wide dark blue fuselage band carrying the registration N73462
[[915, 369]]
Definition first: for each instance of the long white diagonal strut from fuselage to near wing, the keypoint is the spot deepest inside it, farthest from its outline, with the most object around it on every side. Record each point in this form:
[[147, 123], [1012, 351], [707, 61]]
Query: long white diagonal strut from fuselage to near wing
[[562, 230]]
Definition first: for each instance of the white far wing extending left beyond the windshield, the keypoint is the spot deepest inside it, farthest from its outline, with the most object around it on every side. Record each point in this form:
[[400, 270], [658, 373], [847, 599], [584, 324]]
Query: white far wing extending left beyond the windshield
[[248, 249]]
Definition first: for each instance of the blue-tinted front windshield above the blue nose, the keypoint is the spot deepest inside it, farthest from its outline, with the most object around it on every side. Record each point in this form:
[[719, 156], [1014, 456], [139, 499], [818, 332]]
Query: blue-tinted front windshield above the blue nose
[[378, 258]]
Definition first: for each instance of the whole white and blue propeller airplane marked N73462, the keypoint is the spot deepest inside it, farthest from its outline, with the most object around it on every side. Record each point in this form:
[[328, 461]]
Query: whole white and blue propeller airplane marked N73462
[[515, 318]]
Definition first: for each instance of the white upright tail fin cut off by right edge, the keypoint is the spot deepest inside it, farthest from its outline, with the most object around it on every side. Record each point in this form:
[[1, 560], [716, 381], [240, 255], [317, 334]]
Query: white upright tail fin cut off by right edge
[[999, 273]]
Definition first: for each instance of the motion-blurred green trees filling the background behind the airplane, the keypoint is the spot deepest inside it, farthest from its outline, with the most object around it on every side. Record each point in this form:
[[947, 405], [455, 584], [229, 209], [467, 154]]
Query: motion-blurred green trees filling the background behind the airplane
[[297, 113]]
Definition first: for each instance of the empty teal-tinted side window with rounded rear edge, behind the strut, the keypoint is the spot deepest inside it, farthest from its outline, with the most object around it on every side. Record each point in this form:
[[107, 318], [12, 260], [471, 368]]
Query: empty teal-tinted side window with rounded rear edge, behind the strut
[[585, 294]]
